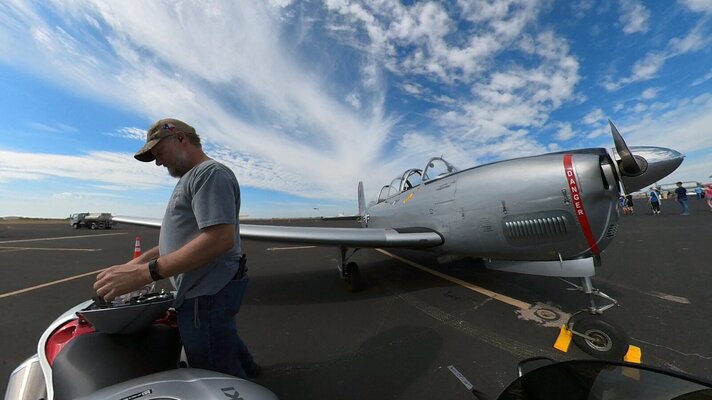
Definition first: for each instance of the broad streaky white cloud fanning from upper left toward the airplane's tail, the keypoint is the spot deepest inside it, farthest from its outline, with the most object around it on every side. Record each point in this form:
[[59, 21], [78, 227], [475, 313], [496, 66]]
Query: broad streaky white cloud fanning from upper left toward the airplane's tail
[[236, 48]]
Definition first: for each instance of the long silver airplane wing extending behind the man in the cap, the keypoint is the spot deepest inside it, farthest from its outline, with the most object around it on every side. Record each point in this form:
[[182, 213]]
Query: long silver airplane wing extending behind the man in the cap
[[412, 237]]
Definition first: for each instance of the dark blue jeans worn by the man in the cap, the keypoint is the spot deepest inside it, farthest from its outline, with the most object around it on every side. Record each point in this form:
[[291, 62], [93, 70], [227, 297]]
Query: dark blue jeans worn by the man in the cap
[[208, 331]]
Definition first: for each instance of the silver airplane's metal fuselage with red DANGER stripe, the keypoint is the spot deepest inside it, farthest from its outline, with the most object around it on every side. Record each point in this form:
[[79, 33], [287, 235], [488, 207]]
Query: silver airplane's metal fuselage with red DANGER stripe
[[547, 207]]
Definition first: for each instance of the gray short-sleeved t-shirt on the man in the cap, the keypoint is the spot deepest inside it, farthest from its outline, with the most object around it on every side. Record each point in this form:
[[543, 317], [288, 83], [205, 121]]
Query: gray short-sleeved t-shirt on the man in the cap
[[206, 195]]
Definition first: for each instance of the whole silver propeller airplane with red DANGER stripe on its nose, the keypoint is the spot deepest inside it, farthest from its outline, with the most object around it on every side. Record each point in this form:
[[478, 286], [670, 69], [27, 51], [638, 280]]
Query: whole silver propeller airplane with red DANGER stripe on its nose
[[549, 215]]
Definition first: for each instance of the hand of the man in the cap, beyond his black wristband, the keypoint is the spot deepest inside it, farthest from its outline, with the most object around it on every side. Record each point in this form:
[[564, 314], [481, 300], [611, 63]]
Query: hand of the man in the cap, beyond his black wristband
[[121, 279]]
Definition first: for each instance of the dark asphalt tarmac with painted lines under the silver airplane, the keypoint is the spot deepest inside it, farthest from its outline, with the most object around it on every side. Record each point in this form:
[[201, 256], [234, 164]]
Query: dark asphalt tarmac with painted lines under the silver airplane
[[414, 323]]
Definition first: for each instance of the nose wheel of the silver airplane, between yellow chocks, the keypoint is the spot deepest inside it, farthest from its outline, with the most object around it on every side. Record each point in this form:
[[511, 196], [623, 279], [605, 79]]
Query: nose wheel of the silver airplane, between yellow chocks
[[608, 342]]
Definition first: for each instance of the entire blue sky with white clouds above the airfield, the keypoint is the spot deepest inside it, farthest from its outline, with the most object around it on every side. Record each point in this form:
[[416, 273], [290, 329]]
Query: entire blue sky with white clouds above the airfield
[[302, 99]]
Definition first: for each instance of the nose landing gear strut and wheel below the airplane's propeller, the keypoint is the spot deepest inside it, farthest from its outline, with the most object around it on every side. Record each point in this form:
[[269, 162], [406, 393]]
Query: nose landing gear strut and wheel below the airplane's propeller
[[591, 332]]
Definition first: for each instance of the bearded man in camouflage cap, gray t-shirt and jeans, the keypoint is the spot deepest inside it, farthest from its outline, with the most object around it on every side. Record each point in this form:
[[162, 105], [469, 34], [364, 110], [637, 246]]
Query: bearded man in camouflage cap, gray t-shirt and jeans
[[199, 249]]
